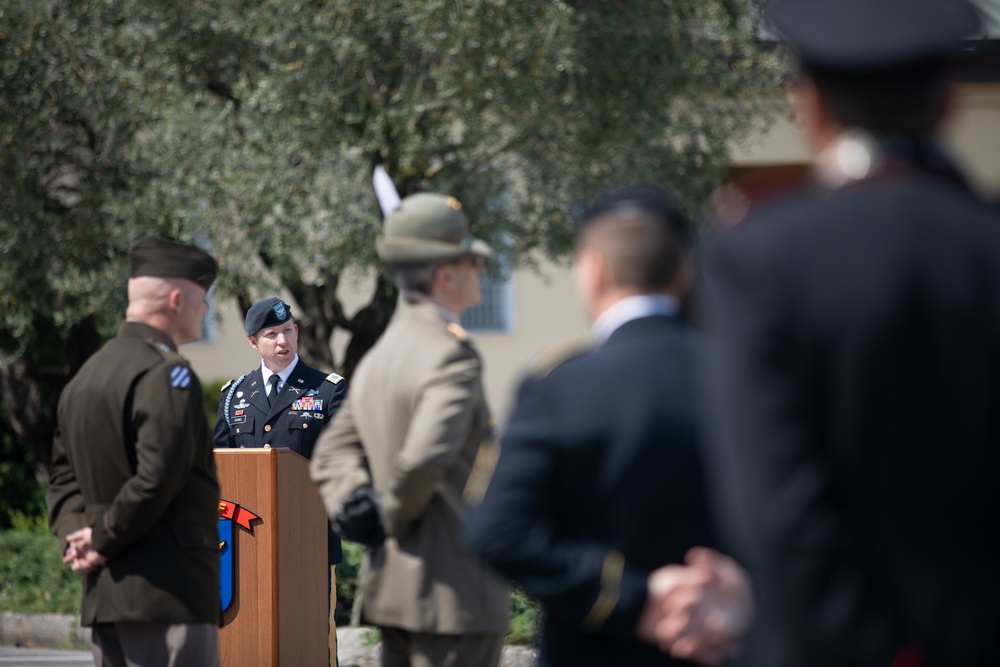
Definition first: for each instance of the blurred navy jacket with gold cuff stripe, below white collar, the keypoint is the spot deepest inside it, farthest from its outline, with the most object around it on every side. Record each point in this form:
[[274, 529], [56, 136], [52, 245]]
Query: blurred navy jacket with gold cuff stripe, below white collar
[[600, 482]]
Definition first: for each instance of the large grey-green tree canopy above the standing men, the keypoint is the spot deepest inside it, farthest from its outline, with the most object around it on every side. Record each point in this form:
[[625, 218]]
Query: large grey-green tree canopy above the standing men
[[254, 127]]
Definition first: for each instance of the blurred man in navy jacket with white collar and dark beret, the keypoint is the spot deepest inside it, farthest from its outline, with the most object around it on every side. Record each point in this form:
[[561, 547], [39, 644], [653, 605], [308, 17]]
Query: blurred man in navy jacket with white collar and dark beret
[[599, 481]]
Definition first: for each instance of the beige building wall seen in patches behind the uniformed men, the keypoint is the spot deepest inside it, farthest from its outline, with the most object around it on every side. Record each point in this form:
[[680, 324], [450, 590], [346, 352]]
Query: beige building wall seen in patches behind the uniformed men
[[545, 309]]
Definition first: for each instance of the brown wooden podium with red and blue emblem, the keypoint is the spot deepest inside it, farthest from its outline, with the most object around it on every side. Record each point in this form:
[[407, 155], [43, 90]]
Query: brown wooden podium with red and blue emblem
[[278, 613]]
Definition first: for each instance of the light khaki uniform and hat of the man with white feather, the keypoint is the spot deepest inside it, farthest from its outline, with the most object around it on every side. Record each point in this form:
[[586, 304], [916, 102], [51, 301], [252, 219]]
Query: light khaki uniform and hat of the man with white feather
[[411, 429]]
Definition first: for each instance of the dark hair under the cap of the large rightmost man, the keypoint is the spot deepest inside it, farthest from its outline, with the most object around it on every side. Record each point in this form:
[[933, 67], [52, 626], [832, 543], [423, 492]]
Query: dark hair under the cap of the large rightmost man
[[907, 100]]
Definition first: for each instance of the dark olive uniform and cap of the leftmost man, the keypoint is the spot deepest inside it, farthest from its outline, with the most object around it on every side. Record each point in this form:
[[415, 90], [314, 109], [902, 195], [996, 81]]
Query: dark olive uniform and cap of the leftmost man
[[132, 460]]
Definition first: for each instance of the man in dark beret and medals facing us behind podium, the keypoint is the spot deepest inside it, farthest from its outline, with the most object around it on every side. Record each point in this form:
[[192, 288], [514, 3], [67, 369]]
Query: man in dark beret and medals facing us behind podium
[[281, 403]]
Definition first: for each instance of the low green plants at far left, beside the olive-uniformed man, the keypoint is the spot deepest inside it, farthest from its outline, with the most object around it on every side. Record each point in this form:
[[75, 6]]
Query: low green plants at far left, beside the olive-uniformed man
[[33, 578]]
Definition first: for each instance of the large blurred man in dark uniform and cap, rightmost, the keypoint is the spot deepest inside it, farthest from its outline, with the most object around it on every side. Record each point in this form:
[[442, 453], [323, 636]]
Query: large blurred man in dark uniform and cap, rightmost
[[857, 383]]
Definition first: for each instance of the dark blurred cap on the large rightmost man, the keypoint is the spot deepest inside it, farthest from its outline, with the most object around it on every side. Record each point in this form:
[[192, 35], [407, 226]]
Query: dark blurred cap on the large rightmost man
[[872, 34]]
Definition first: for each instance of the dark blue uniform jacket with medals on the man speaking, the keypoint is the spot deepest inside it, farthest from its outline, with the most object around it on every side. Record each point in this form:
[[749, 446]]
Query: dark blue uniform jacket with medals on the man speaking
[[304, 406]]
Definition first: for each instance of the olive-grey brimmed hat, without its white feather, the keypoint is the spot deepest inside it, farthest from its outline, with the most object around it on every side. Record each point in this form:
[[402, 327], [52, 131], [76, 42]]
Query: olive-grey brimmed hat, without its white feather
[[428, 228]]
